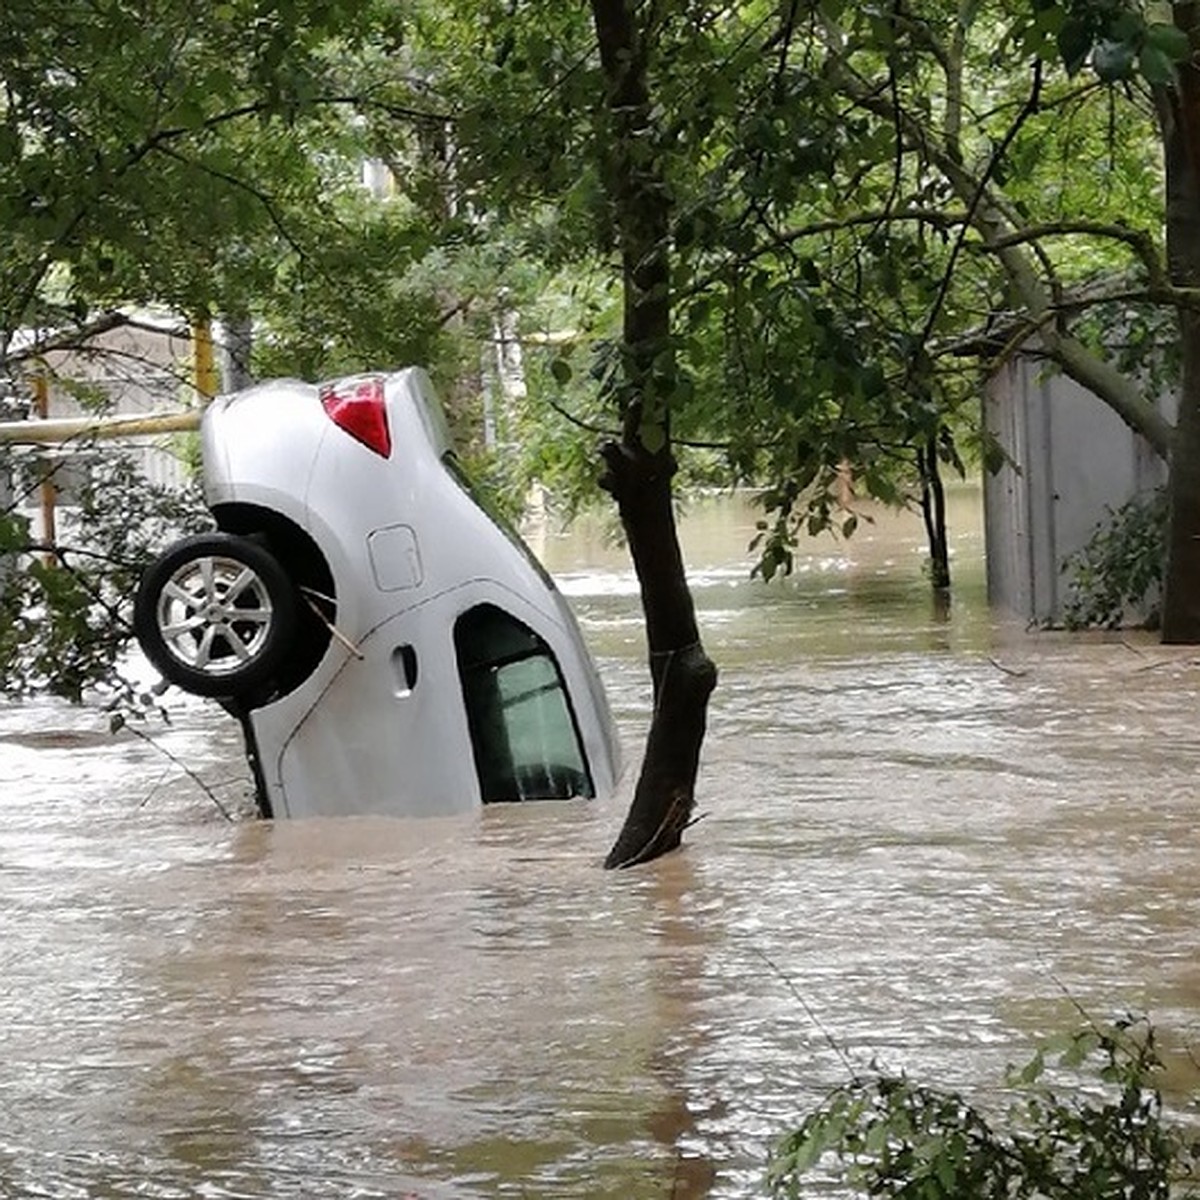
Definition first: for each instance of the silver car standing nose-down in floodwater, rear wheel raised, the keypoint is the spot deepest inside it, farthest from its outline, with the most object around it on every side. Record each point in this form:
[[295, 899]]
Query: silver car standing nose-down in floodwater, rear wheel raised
[[388, 646]]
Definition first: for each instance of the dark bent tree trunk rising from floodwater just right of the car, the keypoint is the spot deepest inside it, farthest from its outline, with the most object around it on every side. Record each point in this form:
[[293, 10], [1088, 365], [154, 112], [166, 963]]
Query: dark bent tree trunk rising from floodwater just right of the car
[[640, 467]]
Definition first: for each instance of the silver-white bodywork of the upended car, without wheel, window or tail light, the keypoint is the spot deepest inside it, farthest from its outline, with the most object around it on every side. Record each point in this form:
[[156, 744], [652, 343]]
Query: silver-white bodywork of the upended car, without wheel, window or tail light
[[410, 551]]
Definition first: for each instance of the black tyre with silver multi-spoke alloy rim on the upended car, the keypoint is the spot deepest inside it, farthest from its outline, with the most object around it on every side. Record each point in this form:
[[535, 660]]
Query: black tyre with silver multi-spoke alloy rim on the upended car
[[217, 615]]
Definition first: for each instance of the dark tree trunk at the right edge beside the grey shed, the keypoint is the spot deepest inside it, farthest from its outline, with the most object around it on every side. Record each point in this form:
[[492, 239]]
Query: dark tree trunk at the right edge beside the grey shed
[[1180, 115]]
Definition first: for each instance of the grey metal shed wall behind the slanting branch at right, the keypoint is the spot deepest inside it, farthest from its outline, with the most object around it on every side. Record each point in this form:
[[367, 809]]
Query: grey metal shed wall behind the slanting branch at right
[[1073, 460]]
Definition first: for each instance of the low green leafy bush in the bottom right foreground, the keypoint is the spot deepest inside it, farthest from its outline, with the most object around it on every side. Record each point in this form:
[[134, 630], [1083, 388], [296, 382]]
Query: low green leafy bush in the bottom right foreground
[[1102, 1138]]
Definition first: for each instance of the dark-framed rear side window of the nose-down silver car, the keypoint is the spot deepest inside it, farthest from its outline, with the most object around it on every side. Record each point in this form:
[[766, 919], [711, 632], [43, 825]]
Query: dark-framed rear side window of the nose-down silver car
[[523, 729]]
